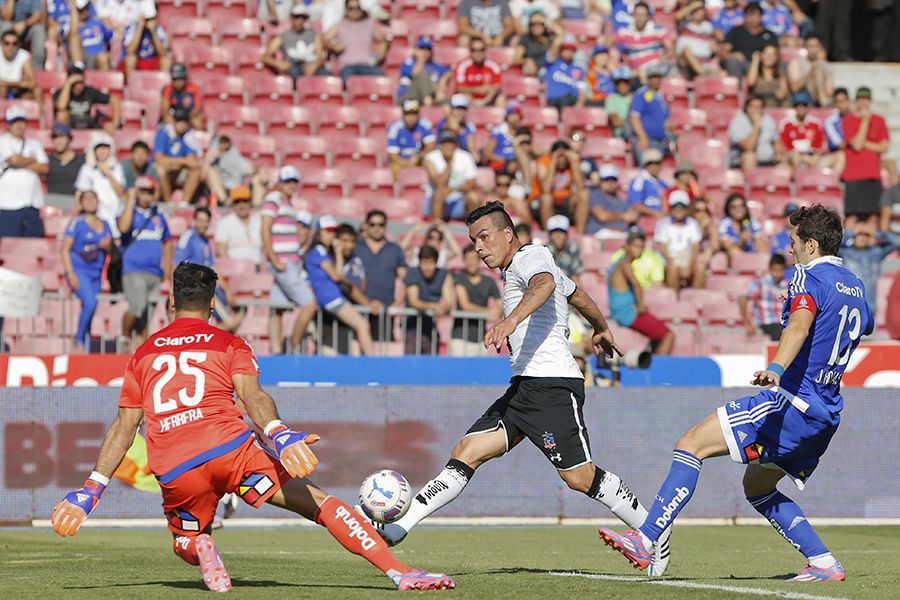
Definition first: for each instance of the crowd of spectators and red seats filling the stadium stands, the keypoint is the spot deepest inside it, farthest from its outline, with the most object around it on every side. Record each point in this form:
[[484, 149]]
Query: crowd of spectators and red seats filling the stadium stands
[[656, 148]]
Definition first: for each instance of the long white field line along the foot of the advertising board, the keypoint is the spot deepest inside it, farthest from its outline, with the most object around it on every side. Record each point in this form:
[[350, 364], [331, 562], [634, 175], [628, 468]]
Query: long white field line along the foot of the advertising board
[[250, 522]]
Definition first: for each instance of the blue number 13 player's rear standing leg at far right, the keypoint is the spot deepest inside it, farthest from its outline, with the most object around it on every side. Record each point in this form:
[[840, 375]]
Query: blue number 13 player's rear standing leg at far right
[[788, 520]]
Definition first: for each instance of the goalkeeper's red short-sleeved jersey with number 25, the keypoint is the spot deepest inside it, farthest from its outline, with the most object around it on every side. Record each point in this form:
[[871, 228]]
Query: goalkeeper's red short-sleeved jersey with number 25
[[182, 378]]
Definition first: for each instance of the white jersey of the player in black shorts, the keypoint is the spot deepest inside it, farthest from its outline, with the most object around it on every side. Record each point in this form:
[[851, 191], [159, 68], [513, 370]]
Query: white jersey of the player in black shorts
[[539, 347]]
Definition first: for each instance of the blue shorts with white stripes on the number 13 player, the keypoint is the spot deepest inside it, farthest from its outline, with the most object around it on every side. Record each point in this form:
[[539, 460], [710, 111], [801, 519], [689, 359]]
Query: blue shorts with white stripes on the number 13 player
[[771, 428]]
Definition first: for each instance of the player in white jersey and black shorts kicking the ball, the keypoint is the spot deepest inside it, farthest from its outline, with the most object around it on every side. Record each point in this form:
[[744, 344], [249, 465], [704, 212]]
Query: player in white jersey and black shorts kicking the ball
[[546, 394]]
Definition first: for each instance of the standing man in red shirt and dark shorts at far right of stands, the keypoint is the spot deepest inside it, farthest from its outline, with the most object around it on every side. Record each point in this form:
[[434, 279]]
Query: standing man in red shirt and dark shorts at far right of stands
[[867, 139]]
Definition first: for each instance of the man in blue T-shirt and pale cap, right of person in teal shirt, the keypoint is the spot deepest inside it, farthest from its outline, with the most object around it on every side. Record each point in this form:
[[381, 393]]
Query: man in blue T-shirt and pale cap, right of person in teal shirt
[[649, 118]]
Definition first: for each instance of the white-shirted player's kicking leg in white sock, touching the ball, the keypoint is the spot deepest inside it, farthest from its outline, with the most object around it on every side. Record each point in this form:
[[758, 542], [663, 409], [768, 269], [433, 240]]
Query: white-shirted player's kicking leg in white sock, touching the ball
[[469, 454]]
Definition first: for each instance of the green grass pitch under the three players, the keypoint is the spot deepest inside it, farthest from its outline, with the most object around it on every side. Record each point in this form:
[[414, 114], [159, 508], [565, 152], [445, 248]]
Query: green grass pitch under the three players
[[488, 562]]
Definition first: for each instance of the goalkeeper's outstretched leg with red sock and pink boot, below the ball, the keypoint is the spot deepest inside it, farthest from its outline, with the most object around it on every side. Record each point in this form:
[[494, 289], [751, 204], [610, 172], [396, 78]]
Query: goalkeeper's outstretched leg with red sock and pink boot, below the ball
[[354, 533]]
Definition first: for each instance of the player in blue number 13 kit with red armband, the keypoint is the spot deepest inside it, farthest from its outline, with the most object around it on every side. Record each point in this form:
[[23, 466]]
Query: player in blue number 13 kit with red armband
[[784, 429]]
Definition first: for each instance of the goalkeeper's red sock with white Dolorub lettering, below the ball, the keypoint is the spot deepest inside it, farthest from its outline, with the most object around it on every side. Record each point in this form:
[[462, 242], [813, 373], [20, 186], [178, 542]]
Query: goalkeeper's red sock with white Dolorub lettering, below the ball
[[356, 535]]
